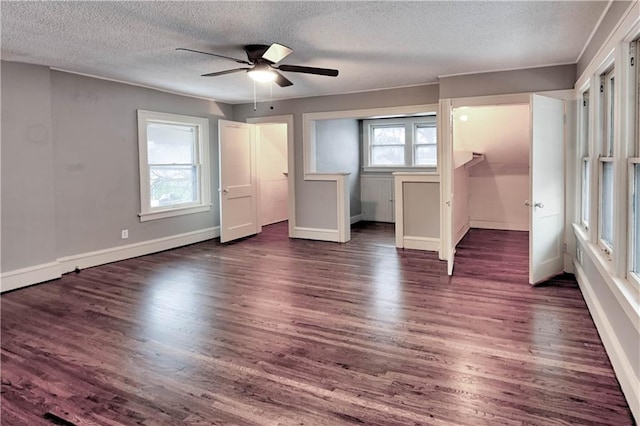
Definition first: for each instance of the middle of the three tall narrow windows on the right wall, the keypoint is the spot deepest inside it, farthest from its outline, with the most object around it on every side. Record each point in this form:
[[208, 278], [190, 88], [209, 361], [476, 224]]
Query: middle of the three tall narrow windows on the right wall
[[605, 171]]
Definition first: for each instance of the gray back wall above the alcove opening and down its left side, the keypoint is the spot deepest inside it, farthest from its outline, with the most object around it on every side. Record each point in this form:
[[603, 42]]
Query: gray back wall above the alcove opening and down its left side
[[315, 201]]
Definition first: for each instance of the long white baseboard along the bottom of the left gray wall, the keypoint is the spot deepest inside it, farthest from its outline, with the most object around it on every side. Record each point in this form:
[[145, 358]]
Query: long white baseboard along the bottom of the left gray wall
[[12, 280]]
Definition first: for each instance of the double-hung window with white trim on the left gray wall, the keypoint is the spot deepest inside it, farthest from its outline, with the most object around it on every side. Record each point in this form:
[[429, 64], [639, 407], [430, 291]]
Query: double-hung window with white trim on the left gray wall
[[174, 165]]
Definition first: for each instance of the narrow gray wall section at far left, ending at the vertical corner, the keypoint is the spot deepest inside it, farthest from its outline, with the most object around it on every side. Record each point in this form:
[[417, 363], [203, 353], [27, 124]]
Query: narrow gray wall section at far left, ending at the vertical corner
[[28, 214]]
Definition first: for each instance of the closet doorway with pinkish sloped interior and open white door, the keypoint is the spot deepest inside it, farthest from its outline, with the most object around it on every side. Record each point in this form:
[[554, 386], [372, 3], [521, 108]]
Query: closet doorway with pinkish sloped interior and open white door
[[517, 184]]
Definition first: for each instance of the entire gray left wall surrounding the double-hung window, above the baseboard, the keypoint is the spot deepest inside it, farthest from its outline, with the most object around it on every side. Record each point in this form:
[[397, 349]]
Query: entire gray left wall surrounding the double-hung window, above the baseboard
[[81, 178]]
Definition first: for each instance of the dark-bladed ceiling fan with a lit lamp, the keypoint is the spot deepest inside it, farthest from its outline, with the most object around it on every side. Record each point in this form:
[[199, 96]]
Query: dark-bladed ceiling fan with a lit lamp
[[262, 60]]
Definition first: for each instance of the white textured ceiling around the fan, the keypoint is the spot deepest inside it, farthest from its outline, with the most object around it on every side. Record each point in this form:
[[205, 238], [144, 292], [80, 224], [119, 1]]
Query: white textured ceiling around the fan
[[374, 44]]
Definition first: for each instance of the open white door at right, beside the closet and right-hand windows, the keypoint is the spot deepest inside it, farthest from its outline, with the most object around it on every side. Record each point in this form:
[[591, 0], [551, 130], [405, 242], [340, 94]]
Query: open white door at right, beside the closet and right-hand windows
[[546, 201]]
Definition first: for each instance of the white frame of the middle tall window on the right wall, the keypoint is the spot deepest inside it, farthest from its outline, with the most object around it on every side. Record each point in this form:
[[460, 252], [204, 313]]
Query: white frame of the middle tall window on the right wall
[[606, 148]]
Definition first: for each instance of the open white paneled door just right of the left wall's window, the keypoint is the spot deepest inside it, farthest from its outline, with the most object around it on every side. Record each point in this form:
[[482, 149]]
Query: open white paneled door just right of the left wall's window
[[238, 183]]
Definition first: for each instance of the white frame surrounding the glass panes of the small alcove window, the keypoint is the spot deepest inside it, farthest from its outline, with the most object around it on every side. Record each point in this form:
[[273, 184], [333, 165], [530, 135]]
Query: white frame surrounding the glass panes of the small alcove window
[[410, 124]]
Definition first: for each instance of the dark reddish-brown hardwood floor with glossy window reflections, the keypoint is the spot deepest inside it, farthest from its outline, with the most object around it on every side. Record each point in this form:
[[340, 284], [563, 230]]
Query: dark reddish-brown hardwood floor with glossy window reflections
[[272, 331]]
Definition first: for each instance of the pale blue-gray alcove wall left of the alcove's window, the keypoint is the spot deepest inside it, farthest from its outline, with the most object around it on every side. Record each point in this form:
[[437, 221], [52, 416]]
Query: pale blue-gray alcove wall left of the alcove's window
[[338, 150]]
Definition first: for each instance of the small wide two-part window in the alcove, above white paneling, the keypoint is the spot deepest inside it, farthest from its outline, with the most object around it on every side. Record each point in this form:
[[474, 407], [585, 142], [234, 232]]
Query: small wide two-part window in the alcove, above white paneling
[[392, 143]]
